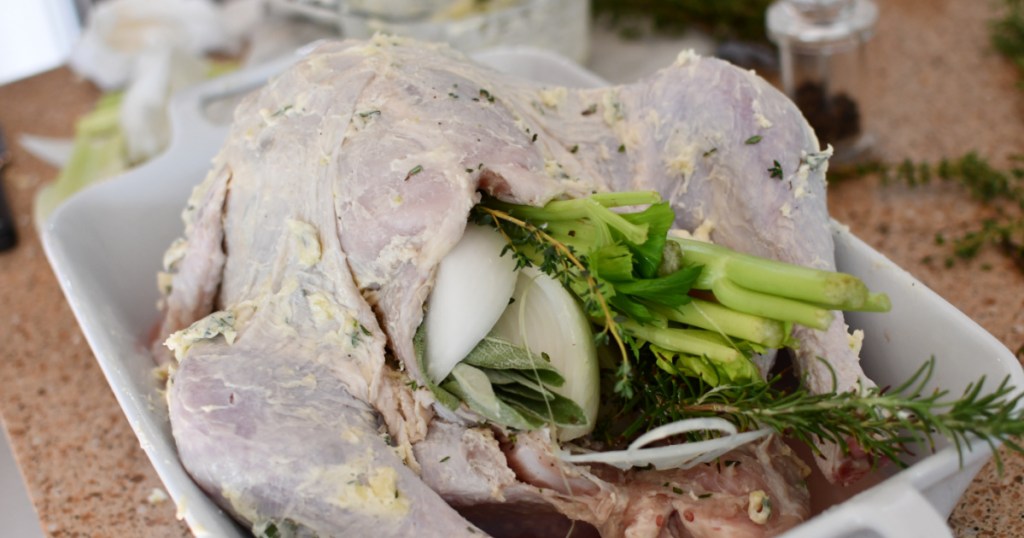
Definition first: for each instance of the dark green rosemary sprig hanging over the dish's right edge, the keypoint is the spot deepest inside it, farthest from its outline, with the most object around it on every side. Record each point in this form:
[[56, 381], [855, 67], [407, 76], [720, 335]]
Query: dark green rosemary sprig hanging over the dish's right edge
[[885, 424]]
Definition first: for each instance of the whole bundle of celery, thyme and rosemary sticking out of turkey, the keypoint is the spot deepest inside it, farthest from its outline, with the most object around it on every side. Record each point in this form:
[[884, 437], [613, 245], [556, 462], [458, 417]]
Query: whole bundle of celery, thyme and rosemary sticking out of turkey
[[684, 357]]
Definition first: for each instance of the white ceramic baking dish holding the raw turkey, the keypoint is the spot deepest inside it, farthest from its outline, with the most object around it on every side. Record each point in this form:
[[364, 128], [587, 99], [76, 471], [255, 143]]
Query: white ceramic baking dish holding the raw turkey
[[106, 246]]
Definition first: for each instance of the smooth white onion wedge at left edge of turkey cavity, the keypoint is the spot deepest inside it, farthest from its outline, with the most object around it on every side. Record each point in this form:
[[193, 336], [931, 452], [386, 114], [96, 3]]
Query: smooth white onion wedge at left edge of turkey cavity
[[472, 291]]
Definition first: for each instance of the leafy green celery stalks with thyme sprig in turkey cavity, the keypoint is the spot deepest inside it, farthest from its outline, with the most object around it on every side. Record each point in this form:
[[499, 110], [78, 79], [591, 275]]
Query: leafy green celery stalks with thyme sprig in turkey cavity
[[635, 282]]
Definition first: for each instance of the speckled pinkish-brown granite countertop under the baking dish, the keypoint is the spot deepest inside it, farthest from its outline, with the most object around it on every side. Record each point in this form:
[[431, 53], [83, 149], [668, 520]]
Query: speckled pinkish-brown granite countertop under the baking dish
[[935, 90]]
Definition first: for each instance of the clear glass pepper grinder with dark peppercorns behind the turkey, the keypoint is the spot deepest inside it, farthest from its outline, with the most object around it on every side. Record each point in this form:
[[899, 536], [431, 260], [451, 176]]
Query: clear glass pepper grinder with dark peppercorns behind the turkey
[[823, 57]]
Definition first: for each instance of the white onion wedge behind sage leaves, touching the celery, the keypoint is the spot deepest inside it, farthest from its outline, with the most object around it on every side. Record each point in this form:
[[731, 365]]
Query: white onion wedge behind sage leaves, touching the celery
[[545, 318]]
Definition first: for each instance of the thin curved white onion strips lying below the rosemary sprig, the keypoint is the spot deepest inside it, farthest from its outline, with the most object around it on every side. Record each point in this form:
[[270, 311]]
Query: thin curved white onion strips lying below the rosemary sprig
[[684, 456]]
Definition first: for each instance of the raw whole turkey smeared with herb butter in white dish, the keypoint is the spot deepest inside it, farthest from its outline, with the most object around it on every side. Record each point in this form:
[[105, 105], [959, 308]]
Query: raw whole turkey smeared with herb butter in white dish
[[295, 397]]
